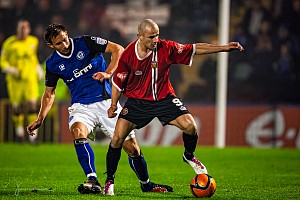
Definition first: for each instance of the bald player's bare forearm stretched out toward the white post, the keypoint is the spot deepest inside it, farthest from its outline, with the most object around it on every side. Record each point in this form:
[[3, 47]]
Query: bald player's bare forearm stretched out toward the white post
[[205, 48]]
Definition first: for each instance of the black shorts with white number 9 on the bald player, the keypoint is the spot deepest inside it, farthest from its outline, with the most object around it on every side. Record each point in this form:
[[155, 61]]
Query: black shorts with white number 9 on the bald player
[[142, 112]]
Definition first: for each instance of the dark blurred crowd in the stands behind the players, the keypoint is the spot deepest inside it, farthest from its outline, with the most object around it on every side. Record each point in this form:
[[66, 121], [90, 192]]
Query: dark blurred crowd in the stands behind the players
[[268, 72]]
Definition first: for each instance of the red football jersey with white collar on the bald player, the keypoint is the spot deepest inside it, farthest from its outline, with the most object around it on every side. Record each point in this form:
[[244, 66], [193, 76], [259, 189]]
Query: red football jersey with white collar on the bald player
[[148, 78]]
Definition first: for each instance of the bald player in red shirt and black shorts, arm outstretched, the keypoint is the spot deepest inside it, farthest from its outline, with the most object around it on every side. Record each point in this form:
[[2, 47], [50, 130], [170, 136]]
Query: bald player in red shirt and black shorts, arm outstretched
[[142, 76]]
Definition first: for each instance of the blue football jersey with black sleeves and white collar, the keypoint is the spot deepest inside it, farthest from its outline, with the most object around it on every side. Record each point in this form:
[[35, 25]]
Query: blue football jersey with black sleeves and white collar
[[77, 69]]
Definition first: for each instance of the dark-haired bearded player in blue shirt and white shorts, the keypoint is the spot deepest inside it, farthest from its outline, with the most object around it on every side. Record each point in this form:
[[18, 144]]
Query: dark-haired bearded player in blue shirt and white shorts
[[81, 65]]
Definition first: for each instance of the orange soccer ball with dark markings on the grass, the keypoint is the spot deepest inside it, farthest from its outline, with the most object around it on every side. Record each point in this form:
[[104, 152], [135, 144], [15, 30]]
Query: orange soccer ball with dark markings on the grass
[[203, 185]]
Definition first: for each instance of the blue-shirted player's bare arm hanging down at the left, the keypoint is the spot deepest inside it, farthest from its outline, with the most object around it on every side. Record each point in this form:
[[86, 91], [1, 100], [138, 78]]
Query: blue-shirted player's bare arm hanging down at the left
[[46, 104]]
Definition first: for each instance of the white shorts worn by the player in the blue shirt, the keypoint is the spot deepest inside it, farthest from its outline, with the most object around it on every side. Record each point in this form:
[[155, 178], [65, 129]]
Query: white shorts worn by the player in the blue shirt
[[95, 114]]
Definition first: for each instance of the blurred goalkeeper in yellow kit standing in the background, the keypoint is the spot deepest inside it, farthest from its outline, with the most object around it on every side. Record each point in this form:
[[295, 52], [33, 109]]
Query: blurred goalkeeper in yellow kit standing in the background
[[20, 63]]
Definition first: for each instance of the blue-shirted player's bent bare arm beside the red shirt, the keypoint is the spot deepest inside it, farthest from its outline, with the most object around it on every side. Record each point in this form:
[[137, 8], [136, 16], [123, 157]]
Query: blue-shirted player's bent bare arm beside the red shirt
[[116, 51]]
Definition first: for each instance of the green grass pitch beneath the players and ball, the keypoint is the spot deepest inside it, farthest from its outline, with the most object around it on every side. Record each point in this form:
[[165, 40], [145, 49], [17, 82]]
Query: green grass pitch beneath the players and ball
[[51, 171]]
